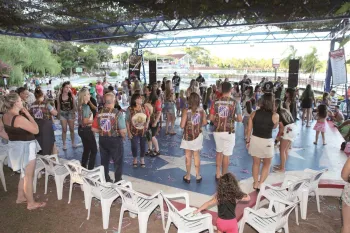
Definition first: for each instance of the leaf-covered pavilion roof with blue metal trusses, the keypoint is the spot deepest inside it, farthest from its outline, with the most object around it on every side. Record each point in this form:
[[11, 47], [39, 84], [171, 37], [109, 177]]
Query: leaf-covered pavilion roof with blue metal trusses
[[125, 21]]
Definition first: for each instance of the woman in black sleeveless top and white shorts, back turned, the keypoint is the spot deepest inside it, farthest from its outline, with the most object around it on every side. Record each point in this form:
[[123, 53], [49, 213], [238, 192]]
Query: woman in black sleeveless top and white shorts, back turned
[[260, 143]]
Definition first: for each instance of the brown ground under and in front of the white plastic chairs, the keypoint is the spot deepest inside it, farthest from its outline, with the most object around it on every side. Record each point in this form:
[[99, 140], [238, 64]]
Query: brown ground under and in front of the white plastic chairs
[[59, 216]]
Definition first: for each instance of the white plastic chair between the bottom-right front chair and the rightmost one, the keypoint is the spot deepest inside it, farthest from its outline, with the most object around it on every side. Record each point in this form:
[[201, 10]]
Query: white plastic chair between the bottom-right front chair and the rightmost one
[[290, 193]]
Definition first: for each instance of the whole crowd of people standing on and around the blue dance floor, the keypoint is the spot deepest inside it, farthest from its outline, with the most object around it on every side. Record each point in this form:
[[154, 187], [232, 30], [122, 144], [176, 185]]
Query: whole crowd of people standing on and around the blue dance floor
[[137, 112]]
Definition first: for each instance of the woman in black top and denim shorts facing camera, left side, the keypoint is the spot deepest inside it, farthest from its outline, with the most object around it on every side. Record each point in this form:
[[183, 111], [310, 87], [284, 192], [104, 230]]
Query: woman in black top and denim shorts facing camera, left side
[[66, 112]]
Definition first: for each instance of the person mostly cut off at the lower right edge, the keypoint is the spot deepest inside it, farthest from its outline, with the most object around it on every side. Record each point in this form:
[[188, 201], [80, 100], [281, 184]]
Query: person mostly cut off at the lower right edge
[[346, 197]]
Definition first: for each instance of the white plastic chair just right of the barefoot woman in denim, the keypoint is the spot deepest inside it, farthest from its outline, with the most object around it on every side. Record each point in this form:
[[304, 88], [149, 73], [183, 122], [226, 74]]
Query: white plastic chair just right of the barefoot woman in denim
[[55, 169]]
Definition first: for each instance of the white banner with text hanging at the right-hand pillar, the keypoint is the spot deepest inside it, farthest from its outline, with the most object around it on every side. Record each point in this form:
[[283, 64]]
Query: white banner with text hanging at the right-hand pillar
[[338, 63]]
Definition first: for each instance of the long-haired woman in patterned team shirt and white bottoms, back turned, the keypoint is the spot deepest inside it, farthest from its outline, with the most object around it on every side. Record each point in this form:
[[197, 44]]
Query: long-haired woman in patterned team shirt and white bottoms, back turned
[[192, 121]]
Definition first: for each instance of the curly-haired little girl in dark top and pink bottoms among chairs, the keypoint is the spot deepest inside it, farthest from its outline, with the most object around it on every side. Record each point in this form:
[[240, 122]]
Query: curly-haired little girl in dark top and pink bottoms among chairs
[[227, 195]]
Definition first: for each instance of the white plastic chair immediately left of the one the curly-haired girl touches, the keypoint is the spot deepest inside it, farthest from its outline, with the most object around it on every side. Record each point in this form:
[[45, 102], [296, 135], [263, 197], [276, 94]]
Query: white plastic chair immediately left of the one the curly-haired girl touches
[[139, 204]]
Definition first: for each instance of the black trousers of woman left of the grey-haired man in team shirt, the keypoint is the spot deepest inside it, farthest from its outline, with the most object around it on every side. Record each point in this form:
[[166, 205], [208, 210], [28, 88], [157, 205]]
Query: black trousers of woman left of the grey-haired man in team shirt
[[90, 147]]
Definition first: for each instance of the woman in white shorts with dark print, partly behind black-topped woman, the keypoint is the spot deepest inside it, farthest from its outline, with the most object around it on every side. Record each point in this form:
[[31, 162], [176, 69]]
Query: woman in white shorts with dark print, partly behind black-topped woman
[[287, 132]]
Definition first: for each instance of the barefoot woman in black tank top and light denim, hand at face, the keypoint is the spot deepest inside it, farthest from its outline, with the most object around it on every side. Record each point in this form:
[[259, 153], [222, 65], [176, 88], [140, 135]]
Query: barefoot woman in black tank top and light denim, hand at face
[[23, 147]]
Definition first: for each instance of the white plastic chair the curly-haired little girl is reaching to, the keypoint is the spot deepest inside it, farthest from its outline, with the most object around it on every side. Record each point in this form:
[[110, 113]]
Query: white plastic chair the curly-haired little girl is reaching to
[[184, 219]]
